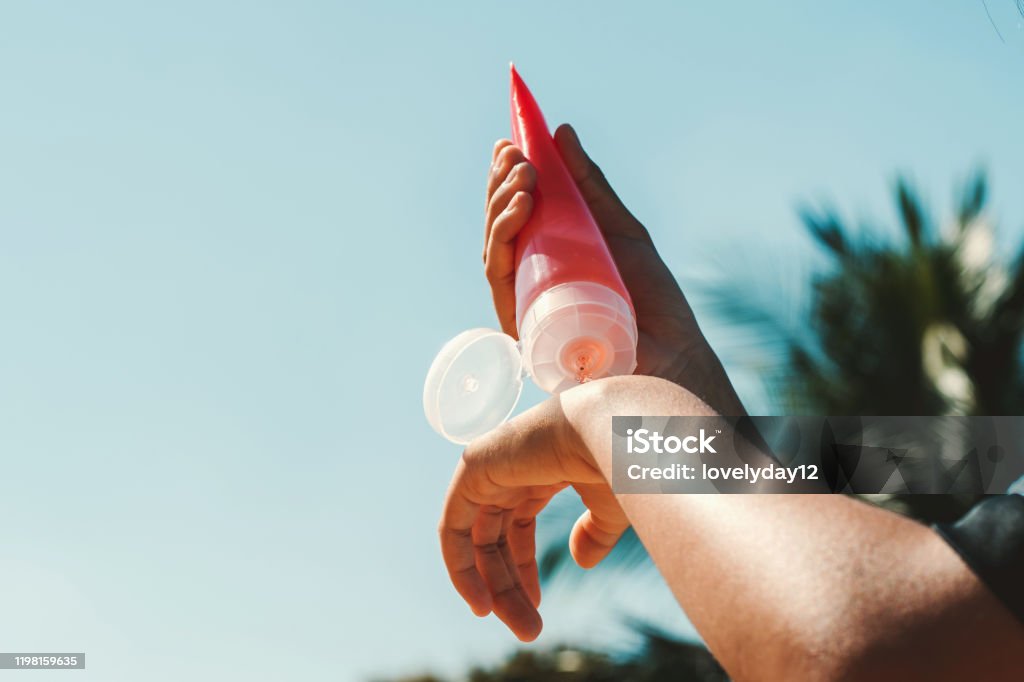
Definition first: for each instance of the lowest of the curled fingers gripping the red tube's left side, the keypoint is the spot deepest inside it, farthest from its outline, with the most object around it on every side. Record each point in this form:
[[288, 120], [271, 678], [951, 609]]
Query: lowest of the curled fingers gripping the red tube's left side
[[500, 260]]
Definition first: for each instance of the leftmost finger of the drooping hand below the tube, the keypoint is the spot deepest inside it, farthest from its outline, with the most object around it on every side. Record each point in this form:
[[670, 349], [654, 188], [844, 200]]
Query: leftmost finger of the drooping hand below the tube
[[458, 550]]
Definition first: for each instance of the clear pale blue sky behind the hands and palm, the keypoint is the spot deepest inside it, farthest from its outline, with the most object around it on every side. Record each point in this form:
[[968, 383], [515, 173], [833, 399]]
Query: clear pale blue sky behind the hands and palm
[[234, 235]]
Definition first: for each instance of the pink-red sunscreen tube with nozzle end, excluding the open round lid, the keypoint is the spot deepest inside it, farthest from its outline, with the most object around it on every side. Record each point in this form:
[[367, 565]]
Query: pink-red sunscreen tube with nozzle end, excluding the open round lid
[[574, 314]]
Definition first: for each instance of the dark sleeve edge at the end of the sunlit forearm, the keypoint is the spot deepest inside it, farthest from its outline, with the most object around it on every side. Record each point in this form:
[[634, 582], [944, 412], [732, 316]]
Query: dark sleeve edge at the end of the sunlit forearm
[[991, 539]]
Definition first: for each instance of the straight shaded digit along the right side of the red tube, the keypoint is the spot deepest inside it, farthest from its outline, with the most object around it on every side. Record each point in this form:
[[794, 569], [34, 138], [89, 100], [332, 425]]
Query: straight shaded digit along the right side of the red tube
[[609, 210]]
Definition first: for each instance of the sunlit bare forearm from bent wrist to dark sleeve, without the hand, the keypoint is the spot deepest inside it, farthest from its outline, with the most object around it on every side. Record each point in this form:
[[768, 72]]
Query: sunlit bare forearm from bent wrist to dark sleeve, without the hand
[[804, 587]]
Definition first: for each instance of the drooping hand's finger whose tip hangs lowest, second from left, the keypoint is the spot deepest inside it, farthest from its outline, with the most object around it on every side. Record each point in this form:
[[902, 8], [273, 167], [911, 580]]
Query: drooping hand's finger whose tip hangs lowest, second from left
[[494, 560]]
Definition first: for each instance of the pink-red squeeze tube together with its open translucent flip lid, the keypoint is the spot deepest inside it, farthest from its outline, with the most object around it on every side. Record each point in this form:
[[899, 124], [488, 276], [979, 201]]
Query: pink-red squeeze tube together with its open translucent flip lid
[[575, 317]]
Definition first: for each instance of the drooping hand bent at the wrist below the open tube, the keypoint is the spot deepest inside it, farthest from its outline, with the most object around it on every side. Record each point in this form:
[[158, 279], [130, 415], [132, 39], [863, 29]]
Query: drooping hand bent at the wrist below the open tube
[[504, 481]]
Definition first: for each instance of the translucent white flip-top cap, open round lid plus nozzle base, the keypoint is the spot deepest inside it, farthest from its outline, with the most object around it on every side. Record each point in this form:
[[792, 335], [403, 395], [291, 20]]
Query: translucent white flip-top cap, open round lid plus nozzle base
[[573, 333]]
